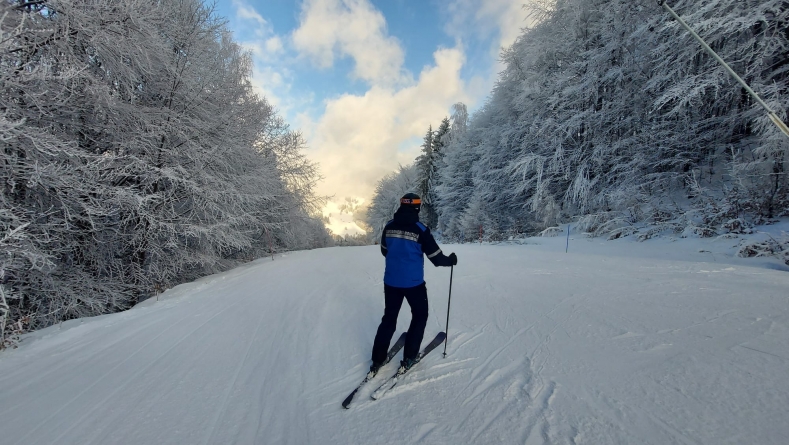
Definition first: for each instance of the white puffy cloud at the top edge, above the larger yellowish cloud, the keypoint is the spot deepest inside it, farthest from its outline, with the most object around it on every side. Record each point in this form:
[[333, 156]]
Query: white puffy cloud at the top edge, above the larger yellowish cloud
[[352, 28]]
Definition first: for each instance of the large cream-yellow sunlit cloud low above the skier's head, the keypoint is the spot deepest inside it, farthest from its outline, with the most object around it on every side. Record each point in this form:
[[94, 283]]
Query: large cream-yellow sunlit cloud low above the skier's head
[[356, 140]]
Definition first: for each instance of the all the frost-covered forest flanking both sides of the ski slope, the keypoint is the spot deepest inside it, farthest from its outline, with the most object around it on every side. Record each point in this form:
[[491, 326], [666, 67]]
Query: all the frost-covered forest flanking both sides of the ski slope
[[136, 154]]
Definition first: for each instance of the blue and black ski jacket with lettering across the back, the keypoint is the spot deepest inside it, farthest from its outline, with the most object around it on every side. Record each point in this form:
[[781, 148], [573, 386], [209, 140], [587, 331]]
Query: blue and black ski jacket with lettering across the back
[[403, 243]]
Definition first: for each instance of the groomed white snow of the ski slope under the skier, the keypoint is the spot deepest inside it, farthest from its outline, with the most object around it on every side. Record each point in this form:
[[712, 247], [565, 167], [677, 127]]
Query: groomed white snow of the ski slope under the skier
[[614, 343]]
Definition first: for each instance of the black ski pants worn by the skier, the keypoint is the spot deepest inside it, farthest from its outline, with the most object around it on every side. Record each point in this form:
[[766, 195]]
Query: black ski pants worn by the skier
[[417, 299]]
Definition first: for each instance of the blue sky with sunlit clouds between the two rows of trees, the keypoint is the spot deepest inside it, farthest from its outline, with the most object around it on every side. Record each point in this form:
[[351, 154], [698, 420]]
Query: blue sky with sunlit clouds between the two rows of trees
[[363, 80]]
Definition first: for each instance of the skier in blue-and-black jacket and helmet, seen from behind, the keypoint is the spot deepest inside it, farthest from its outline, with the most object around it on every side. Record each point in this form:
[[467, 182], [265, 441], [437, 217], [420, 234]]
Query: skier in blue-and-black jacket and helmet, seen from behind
[[403, 242]]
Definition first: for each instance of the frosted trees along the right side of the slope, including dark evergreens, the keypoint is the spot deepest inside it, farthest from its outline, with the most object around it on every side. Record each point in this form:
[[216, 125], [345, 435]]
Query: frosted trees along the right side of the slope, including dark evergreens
[[610, 116]]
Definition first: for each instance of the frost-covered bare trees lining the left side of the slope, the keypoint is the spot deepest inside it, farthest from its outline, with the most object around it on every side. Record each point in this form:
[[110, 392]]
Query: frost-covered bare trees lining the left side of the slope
[[135, 156]]
